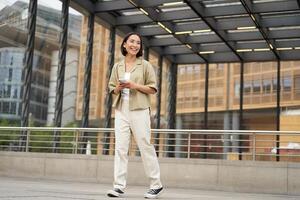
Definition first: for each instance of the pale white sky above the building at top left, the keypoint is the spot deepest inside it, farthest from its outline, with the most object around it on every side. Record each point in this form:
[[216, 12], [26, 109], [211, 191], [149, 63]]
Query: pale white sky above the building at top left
[[56, 4]]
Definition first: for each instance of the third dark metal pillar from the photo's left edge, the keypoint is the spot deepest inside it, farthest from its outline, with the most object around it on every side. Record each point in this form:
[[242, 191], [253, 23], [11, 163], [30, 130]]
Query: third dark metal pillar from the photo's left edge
[[87, 79]]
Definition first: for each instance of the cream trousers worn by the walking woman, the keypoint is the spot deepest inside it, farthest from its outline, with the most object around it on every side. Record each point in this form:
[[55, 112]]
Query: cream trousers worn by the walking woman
[[139, 122]]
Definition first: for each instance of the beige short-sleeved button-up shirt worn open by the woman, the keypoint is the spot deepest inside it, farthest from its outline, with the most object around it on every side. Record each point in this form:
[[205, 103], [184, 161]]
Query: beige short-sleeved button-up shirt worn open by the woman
[[141, 73]]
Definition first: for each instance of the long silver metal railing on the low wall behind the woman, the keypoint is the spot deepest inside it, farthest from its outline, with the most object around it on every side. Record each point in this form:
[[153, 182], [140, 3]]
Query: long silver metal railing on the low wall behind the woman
[[212, 144]]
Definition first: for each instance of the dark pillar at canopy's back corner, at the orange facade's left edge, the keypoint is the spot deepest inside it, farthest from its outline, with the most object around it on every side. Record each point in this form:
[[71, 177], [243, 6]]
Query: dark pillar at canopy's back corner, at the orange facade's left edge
[[171, 119]]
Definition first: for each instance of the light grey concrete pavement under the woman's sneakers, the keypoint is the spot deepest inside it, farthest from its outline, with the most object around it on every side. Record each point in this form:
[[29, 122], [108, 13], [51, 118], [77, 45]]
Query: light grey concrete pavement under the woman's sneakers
[[40, 189]]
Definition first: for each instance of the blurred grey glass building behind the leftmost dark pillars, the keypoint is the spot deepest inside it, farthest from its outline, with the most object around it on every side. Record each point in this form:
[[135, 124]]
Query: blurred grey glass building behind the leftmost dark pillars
[[13, 36]]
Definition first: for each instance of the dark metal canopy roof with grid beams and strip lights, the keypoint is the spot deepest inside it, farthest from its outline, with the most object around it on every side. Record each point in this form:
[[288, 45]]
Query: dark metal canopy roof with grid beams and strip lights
[[207, 31]]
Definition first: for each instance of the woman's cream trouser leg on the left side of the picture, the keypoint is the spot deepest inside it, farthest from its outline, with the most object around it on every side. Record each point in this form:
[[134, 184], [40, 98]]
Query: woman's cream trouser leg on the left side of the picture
[[122, 138]]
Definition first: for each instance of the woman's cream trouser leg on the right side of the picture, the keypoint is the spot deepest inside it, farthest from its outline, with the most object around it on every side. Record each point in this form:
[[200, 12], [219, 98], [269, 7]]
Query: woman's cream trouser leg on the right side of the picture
[[140, 125]]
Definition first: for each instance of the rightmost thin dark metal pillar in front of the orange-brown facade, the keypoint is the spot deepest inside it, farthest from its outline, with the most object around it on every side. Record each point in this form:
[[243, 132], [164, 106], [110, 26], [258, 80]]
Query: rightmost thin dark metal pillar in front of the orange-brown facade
[[278, 110]]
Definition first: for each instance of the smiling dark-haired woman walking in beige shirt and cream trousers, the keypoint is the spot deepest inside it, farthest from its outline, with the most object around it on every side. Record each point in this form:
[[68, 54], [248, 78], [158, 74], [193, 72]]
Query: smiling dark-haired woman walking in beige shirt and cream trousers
[[132, 81]]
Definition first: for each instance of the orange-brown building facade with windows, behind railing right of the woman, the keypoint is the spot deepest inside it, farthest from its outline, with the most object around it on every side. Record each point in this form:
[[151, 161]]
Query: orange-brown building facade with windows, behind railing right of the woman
[[224, 96]]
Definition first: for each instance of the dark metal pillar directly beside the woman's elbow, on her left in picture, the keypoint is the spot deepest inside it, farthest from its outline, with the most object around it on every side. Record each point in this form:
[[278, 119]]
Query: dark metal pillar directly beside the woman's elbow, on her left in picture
[[108, 98]]
